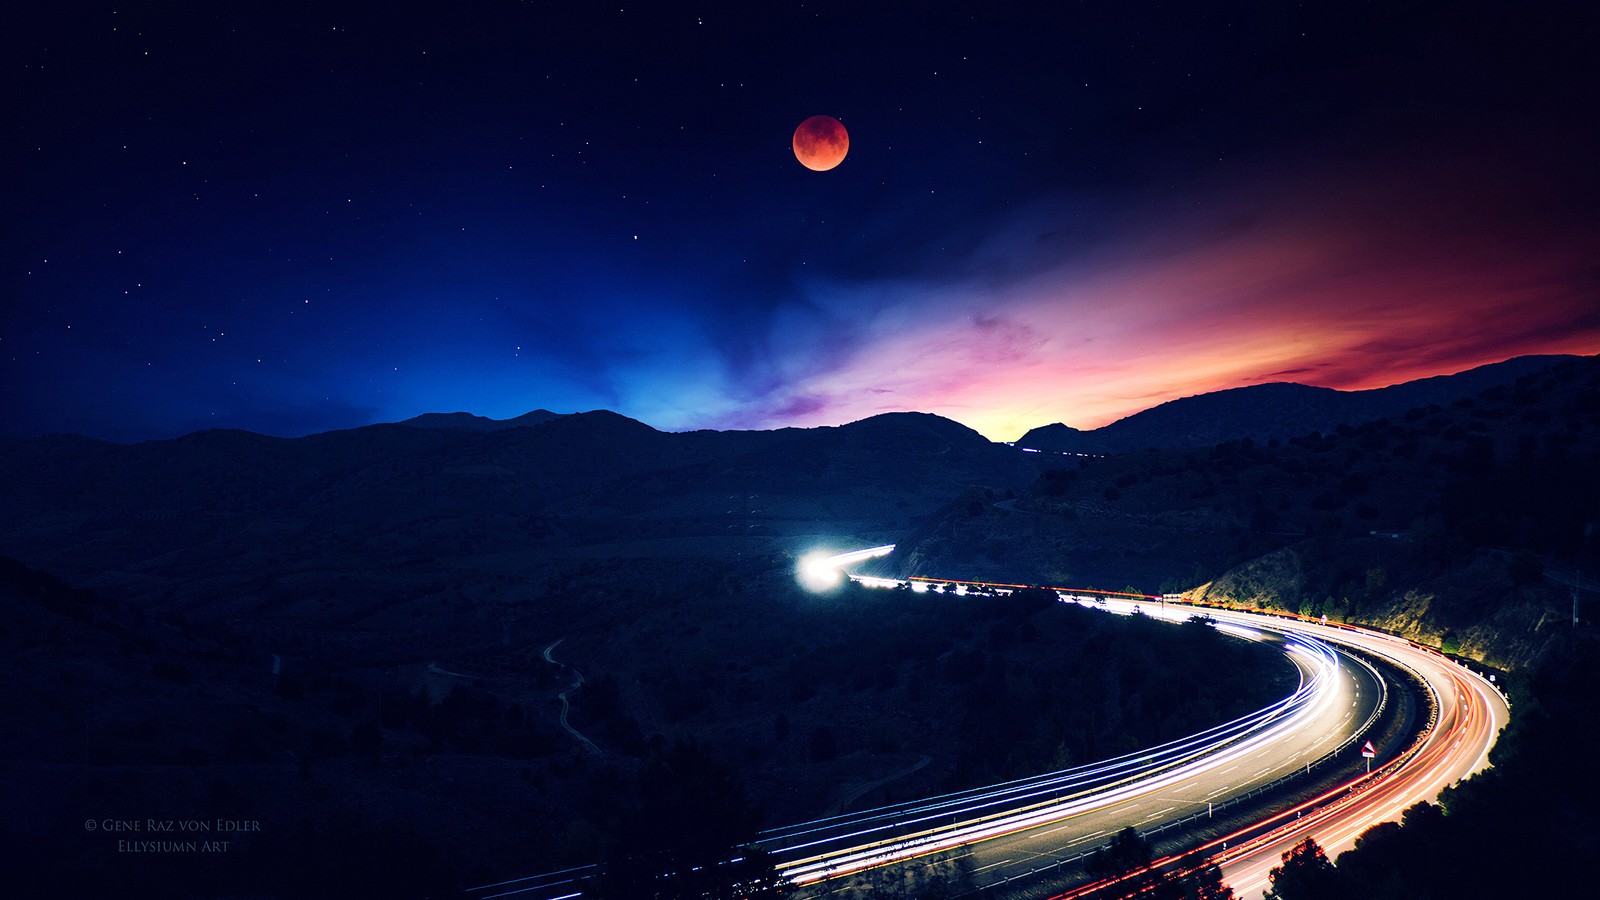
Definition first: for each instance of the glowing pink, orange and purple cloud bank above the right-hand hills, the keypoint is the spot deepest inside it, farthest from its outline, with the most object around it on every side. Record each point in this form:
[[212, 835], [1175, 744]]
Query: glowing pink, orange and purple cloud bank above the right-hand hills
[[1346, 281]]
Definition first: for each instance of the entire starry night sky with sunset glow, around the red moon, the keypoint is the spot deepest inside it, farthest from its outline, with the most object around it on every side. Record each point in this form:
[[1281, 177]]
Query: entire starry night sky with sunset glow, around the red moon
[[297, 219]]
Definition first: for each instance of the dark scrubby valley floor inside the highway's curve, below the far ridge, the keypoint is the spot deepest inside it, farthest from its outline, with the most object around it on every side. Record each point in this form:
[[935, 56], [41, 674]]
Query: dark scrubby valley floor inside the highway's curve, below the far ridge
[[422, 774]]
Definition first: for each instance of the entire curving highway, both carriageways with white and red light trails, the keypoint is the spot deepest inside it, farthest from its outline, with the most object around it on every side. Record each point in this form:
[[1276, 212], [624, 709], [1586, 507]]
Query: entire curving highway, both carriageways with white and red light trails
[[1049, 824]]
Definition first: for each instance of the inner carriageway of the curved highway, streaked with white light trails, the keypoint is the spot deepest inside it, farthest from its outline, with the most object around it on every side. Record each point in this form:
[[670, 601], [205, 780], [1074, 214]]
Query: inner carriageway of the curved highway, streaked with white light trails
[[1039, 824]]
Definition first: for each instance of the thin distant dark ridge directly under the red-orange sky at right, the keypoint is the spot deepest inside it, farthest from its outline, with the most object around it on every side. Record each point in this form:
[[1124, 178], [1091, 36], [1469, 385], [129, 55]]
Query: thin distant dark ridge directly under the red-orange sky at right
[[1282, 411]]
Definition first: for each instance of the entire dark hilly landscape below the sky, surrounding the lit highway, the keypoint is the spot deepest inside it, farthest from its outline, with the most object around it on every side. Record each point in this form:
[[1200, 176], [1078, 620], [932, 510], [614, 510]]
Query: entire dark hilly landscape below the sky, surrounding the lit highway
[[362, 638]]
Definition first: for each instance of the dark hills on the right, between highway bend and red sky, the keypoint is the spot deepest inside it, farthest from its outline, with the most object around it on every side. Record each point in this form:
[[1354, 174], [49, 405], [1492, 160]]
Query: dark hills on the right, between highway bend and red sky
[[1433, 523]]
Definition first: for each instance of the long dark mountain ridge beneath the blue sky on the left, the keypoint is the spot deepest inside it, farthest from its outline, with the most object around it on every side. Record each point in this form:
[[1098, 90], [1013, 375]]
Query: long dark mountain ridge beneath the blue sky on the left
[[354, 512]]
